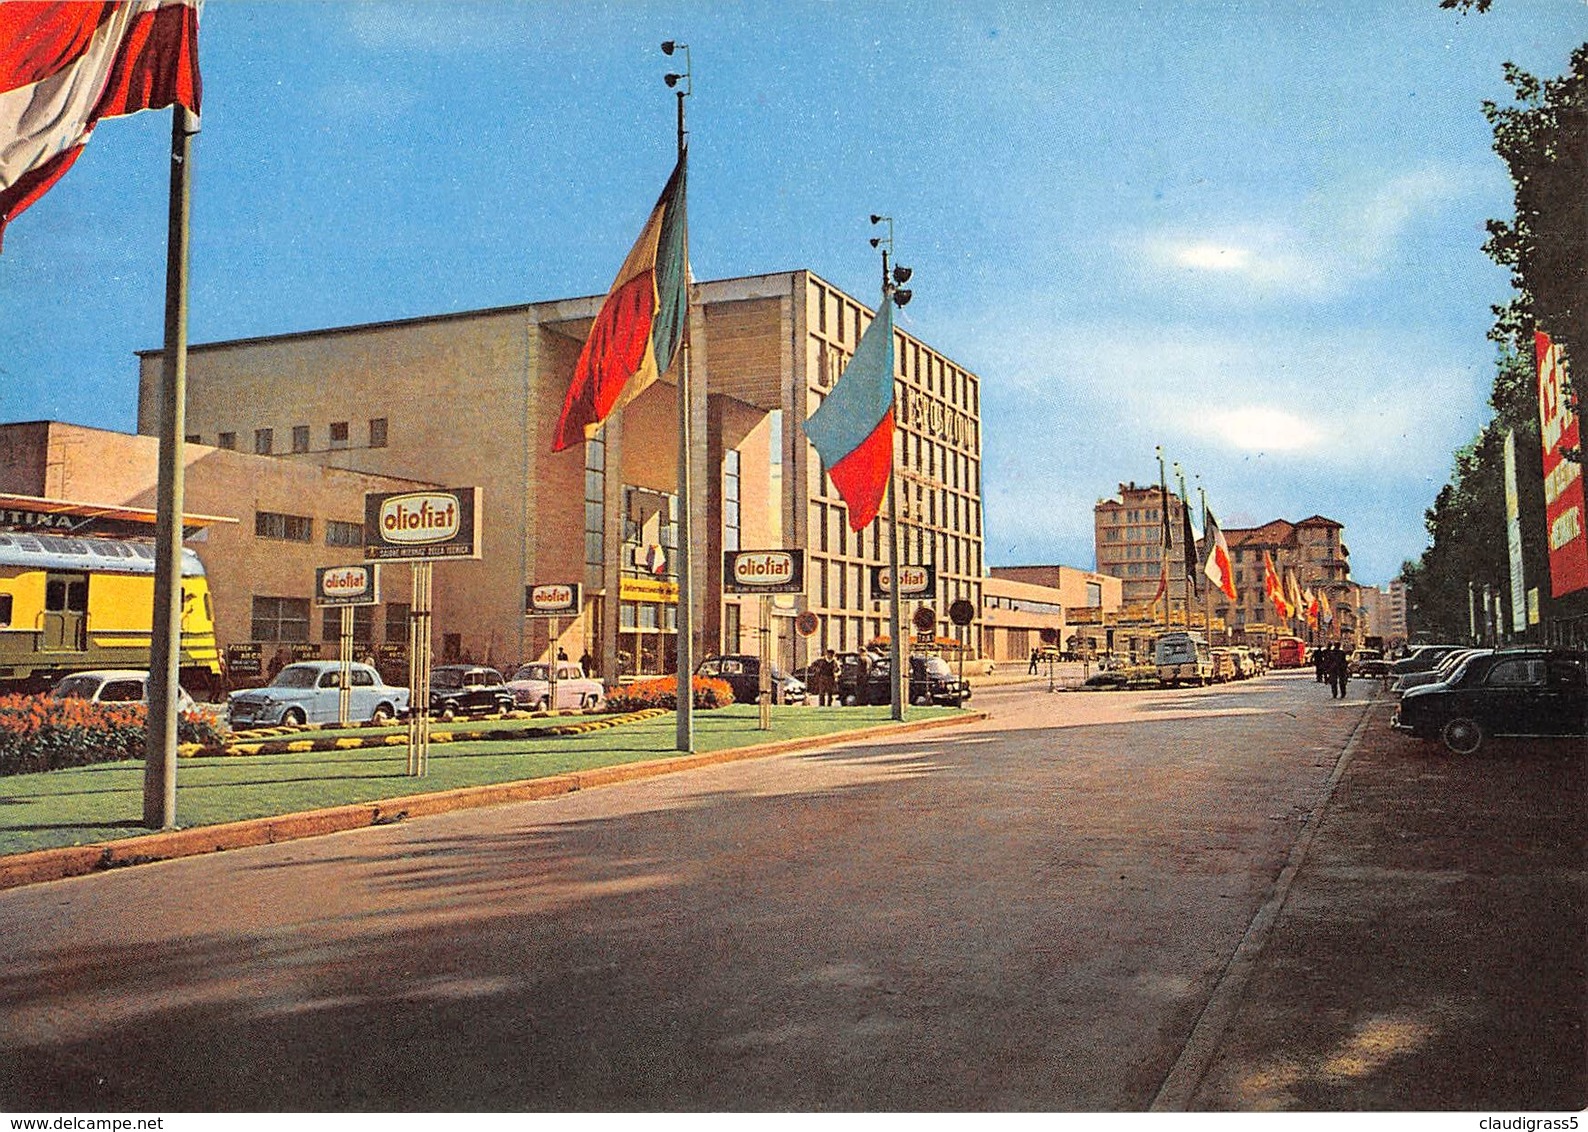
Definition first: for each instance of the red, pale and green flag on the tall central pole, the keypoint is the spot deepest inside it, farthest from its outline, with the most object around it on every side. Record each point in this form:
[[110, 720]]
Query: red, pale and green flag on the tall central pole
[[641, 325]]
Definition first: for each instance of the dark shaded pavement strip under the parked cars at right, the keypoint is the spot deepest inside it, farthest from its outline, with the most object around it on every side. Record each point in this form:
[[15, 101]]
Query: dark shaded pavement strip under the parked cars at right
[[1432, 949]]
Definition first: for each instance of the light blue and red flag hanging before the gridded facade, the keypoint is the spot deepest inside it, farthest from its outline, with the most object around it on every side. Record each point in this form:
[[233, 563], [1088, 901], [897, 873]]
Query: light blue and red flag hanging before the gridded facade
[[854, 428]]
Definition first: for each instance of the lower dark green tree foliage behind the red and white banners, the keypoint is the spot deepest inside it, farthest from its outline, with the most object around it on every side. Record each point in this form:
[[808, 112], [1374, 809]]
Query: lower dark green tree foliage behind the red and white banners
[[1467, 525]]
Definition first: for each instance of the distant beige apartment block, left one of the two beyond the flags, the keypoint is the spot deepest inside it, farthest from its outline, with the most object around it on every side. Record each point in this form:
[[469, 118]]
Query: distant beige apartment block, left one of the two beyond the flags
[[1130, 536]]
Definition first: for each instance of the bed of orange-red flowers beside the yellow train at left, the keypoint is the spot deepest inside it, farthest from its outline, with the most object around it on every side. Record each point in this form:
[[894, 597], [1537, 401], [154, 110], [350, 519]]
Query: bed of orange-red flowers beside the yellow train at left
[[39, 733]]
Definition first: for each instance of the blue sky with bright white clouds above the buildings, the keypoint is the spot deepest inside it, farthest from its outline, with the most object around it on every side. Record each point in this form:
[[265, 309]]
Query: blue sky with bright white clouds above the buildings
[[1249, 233]]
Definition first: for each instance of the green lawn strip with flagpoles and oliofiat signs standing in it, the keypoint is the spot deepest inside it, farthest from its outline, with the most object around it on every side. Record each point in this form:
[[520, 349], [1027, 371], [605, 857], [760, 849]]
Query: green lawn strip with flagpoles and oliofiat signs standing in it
[[106, 803]]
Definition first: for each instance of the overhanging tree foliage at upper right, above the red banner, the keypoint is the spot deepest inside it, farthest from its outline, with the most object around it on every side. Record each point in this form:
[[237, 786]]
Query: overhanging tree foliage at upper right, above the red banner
[[1544, 142]]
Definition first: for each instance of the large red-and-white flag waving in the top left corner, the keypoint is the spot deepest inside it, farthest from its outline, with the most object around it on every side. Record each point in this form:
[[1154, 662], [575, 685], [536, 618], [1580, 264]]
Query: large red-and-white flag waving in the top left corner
[[66, 66]]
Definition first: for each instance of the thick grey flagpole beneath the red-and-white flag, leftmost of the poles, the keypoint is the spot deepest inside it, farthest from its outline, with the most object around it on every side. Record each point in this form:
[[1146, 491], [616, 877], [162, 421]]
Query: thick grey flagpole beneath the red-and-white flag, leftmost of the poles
[[160, 768]]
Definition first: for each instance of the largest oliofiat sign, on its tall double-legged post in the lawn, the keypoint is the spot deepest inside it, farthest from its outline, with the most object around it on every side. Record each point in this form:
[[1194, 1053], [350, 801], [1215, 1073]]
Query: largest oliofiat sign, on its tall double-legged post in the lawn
[[422, 528]]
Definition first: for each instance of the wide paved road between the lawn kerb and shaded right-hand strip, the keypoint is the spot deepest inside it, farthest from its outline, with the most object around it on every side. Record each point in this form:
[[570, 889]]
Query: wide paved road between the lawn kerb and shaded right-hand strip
[[1027, 914]]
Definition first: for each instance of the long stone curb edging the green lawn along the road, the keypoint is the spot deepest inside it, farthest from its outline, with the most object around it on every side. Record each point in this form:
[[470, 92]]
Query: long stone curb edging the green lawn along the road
[[83, 860]]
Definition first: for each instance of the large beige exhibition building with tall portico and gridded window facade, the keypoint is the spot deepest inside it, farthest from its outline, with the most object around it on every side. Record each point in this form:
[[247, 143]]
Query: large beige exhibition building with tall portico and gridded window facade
[[472, 399]]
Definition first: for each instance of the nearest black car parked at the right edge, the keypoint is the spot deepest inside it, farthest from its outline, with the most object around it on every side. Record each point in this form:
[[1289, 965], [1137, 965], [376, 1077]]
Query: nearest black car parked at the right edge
[[1509, 693]]
